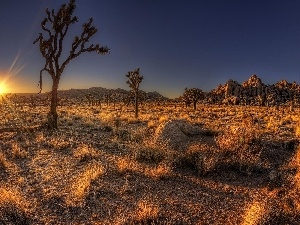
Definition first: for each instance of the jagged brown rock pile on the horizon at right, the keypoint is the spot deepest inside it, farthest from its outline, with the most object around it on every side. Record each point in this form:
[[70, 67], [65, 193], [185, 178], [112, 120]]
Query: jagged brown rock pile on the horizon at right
[[255, 92]]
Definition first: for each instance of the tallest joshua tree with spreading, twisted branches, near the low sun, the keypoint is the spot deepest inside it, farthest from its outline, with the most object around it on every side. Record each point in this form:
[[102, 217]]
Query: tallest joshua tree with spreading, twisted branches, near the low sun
[[55, 27]]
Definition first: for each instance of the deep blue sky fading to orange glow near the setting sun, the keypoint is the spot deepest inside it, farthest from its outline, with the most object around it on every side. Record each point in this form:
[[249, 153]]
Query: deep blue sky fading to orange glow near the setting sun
[[175, 43]]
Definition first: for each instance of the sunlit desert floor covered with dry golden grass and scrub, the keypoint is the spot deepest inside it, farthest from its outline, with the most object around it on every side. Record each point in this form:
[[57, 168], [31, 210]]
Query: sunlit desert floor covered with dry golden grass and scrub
[[220, 165]]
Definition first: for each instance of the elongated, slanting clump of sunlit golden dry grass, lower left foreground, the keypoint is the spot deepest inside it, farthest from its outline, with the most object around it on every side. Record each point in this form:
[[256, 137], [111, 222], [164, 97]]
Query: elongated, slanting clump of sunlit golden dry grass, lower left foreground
[[81, 183]]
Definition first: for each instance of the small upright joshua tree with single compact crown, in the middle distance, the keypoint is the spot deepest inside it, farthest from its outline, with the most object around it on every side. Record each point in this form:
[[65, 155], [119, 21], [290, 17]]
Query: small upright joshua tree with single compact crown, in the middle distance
[[134, 83]]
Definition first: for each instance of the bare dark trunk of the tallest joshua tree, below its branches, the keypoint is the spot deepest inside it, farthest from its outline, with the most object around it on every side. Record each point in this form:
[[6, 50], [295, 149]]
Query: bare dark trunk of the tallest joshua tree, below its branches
[[52, 115]]
